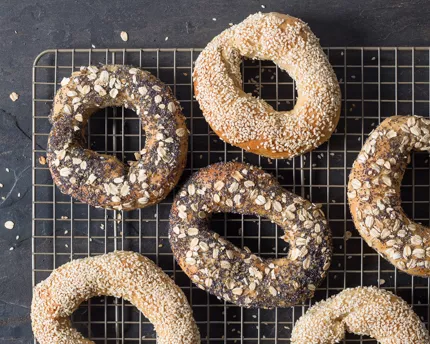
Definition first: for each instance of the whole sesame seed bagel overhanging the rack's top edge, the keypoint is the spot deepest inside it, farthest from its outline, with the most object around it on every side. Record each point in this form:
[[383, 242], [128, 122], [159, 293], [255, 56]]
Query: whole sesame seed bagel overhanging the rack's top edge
[[250, 123]]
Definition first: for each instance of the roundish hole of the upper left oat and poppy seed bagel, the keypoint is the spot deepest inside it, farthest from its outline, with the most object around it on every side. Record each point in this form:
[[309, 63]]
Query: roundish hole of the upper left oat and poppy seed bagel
[[116, 131]]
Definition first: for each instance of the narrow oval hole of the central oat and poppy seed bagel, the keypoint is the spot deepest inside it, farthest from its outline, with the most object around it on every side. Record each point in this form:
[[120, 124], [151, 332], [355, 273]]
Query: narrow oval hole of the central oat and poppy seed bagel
[[258, 234]]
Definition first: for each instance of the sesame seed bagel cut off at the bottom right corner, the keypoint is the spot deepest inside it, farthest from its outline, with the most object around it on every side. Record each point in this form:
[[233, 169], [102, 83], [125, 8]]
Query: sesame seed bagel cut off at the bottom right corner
[[367, 311]]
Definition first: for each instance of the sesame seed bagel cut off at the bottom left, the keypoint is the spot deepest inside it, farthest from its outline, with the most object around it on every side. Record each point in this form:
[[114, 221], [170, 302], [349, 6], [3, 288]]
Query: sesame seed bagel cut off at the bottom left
[[120, 274]]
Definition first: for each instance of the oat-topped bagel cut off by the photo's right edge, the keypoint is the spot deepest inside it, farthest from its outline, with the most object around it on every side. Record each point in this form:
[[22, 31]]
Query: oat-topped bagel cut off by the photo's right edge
[[374, 193]]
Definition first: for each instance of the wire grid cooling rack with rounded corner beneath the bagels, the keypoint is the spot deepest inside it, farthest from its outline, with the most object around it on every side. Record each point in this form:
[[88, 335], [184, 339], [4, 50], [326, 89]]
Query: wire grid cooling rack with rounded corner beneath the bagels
[[375, 82]]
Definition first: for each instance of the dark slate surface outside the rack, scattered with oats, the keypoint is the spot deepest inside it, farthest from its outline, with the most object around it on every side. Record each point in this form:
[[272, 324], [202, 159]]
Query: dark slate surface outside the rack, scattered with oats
[[27, 27]]
